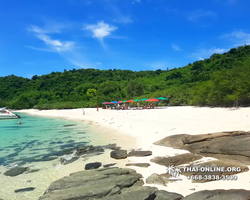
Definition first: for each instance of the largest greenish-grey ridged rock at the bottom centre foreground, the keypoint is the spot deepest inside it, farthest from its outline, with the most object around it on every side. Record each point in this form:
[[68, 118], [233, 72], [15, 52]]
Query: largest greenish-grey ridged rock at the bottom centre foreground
[[105, 184]]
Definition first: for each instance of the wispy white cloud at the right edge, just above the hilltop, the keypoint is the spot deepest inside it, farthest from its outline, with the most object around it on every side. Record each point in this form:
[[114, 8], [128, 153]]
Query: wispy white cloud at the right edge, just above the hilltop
[[239, 38]]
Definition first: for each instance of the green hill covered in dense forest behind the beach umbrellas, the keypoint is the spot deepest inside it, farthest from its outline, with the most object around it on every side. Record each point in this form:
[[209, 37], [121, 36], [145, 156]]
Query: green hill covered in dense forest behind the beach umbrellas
[[222, 80]]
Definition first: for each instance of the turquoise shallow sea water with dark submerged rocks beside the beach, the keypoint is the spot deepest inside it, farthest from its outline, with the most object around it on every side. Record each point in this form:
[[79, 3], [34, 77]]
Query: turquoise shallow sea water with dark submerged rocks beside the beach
[[39, 139]]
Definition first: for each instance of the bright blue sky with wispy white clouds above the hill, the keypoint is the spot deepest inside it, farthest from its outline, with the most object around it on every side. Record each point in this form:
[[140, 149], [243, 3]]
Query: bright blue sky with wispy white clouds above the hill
[[41, 36]]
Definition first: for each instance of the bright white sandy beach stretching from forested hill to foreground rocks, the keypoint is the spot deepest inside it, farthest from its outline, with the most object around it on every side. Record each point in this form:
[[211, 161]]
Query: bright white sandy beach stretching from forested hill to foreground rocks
[[139, 129]]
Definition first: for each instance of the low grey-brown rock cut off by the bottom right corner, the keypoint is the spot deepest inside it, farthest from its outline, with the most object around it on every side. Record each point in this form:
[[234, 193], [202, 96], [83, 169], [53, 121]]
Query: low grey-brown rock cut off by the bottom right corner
[[219, 195]]
